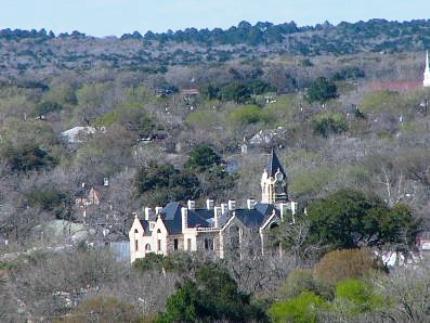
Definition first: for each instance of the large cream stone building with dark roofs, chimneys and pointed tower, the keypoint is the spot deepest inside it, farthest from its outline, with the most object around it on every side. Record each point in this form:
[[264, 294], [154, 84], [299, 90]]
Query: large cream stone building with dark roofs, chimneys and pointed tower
[[221, 231]]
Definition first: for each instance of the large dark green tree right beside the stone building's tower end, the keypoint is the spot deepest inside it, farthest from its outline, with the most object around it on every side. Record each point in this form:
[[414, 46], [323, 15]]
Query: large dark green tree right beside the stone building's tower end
[[348, 219]]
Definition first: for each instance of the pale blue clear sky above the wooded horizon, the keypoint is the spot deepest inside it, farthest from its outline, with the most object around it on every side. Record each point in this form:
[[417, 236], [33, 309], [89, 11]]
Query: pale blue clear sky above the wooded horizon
[[116, 17]]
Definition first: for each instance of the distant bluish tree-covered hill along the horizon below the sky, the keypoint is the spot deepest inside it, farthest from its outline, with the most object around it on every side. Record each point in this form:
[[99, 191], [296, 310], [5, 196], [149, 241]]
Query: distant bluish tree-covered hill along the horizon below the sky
[[22, 50]]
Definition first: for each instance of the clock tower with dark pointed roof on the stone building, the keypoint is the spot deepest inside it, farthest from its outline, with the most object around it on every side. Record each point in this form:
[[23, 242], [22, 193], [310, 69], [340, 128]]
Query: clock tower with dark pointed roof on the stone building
[[274, 186]]
